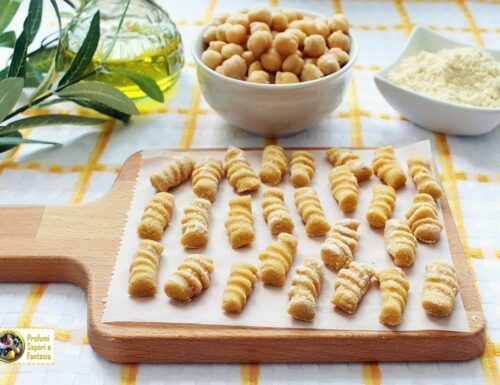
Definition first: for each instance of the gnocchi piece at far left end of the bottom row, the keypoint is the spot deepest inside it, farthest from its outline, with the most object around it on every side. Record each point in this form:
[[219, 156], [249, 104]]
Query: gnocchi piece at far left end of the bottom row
[[144, 269]]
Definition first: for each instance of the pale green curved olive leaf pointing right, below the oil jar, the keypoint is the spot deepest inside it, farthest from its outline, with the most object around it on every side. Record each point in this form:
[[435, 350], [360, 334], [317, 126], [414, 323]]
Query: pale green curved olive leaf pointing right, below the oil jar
[[101, 93]]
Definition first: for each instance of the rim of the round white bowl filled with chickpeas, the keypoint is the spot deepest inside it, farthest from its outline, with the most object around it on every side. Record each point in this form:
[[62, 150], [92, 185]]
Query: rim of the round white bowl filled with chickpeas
[[353, 55]]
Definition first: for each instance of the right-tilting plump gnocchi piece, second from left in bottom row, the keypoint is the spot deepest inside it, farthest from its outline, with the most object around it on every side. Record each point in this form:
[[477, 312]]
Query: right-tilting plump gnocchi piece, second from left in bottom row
[[191, 277]]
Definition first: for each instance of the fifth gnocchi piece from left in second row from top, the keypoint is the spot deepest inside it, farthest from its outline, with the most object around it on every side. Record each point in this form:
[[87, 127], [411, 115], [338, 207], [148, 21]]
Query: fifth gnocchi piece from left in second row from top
[[309, 207]]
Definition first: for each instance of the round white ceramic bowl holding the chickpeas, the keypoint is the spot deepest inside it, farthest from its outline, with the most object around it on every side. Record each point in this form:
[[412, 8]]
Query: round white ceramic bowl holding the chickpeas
[[272, 109]]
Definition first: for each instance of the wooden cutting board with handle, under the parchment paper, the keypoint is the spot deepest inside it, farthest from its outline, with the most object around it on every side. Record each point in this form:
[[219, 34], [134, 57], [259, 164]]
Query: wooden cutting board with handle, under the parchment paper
[[79, 244]]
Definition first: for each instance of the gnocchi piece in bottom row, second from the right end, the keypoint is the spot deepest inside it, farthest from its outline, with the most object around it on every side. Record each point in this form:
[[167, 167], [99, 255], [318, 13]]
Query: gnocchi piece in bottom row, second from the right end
[[394, 294]]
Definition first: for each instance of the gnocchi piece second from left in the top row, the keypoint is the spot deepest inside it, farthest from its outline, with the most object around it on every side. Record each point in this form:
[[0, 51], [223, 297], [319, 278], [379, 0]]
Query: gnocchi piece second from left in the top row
[[206, 178]]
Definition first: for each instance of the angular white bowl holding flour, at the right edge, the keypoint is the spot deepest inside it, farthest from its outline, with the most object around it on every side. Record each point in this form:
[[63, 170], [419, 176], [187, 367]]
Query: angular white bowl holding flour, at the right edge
[[430, 113]]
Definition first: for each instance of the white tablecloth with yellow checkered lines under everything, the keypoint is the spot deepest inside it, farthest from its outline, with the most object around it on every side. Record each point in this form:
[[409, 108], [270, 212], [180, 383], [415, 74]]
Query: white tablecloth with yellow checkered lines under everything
[[86, 166]]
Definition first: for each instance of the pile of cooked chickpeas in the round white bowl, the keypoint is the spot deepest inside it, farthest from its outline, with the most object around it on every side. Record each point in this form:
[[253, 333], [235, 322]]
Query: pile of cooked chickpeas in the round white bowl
[[263, 45]]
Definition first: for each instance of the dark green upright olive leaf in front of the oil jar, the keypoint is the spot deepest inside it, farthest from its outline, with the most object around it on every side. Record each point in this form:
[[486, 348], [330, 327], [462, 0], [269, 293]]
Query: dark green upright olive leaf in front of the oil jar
[[85, 54]]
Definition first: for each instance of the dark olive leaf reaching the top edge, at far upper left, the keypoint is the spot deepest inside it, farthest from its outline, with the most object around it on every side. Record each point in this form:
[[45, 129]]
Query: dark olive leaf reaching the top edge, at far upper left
[[30, 28]]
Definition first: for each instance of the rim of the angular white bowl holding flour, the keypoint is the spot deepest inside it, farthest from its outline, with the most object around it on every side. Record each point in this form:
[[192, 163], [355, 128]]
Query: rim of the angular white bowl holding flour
[[380, 76]]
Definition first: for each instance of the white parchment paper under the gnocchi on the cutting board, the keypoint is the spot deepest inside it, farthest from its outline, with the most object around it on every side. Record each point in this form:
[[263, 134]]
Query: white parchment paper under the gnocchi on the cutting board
[[267, 306]]
